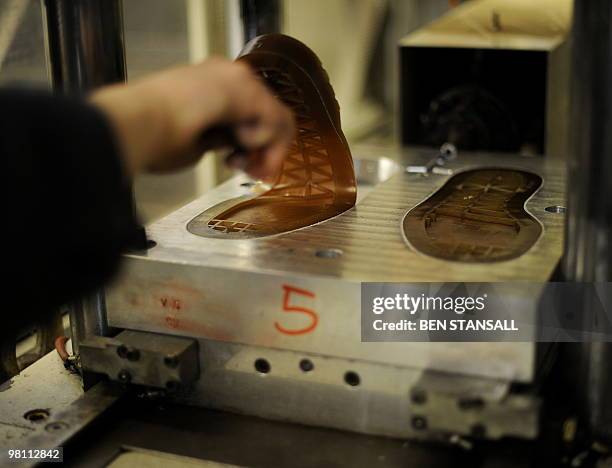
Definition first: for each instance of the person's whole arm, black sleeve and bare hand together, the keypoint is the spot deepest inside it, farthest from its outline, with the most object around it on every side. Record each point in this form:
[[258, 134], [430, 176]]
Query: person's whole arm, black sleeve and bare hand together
[[68, 163]]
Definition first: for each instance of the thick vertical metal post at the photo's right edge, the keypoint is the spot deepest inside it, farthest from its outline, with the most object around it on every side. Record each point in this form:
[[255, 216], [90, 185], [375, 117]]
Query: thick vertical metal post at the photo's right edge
[[588, 252]]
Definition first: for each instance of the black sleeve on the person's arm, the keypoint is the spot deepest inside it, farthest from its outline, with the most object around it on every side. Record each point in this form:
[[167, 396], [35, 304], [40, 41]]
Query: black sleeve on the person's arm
[[67, 203]]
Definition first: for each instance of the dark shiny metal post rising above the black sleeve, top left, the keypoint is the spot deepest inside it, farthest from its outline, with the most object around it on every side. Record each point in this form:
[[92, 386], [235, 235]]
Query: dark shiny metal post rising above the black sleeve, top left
[[84, 43]]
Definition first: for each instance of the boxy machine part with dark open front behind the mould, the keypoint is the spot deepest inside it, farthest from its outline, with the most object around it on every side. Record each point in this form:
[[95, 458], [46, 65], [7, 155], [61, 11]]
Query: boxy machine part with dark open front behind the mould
[[489, 76]]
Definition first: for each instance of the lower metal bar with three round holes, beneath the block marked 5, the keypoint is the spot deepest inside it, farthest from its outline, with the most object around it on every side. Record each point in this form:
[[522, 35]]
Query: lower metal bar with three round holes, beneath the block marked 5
[[388, 400]]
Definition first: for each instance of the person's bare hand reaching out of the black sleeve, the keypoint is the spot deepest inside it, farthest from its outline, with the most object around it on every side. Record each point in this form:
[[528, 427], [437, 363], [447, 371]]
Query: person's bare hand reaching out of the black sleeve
[[168, 120]]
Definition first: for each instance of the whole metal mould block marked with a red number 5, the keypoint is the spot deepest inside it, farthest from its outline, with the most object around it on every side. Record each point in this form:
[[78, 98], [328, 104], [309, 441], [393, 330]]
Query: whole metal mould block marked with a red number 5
[[300, 290]]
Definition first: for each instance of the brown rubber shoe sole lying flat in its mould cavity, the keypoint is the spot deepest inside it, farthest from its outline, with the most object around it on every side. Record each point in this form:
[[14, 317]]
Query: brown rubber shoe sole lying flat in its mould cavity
[[477, 216]]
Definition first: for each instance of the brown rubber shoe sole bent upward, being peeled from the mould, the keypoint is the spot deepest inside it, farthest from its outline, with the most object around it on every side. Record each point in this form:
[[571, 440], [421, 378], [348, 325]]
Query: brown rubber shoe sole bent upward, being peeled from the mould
[[317, 179]]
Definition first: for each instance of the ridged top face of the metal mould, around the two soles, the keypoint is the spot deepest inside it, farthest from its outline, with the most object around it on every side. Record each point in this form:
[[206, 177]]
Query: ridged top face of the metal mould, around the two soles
[[369, 234]]
